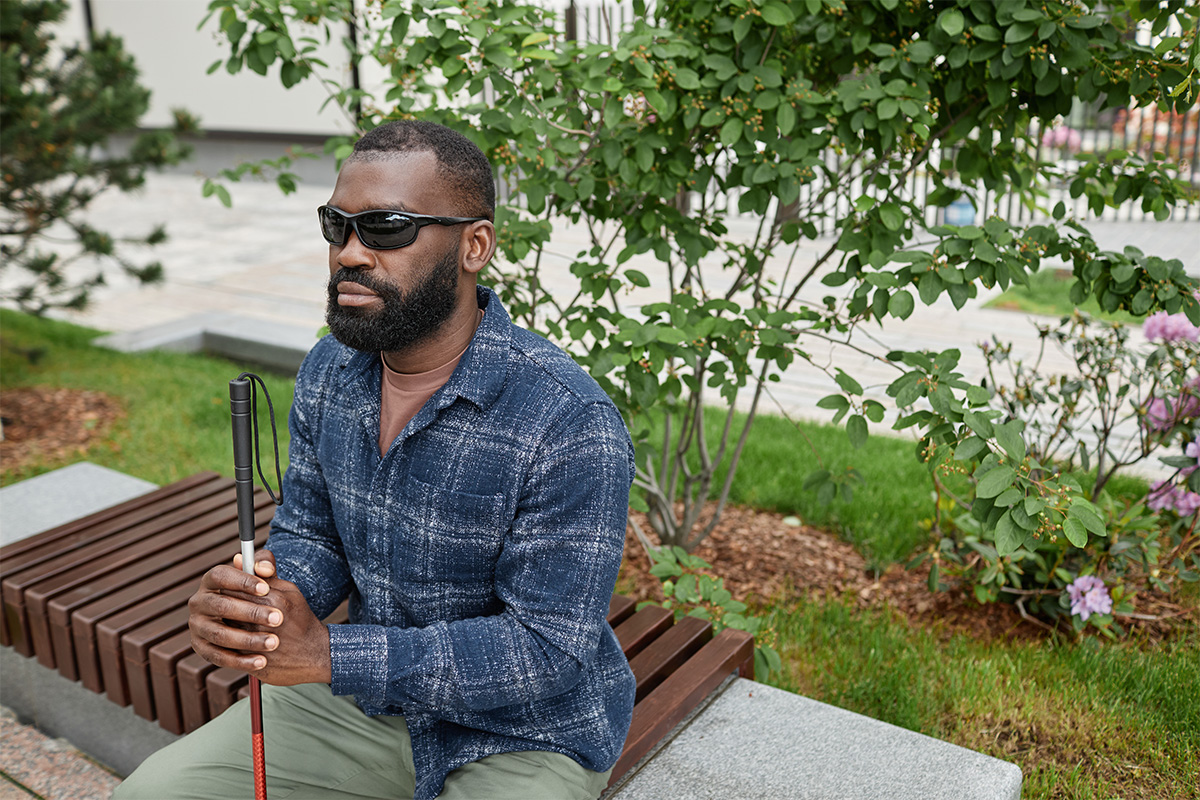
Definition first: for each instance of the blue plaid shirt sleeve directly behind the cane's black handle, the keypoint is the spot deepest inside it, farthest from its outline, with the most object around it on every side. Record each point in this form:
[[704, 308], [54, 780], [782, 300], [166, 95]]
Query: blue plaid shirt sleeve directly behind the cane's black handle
[[304, 537]]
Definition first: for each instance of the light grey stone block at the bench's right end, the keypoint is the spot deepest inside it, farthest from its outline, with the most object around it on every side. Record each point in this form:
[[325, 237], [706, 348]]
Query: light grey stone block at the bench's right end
[[759, 742]]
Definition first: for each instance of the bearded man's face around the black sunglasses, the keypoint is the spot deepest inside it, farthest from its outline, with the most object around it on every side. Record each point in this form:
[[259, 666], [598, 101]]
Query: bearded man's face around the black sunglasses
[[392, 300]]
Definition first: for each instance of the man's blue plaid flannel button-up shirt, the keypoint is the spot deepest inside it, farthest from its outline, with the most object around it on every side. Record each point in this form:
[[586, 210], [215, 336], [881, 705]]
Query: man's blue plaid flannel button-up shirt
[[479, 554]]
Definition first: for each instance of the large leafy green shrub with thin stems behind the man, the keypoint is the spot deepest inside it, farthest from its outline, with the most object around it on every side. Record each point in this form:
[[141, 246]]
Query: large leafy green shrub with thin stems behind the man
[[814, 117]]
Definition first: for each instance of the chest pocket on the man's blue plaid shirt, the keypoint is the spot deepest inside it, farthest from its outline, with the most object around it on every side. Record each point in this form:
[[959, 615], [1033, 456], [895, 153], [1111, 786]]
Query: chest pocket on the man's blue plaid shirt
[[451, 538]]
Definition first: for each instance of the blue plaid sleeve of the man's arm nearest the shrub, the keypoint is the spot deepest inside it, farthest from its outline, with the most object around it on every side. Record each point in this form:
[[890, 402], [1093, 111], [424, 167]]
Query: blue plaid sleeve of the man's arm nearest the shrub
[[555, 576]]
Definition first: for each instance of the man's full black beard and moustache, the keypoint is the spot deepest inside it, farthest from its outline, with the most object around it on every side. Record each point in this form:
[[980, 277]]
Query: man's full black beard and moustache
[[406, 320]]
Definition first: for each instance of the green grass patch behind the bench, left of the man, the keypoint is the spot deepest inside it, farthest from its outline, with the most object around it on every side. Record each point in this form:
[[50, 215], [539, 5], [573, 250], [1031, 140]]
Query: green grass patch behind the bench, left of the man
[[177, 406]]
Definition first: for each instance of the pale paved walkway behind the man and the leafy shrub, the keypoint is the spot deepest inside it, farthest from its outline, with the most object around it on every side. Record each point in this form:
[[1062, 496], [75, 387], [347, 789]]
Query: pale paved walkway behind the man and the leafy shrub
[[265, 260]]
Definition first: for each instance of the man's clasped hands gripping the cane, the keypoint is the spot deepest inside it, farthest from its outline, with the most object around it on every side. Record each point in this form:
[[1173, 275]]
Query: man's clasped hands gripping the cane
[[259, 624]]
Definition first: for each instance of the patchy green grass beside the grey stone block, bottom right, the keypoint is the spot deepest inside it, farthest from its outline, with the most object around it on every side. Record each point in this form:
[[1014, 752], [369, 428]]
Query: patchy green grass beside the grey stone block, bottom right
[[1082, 720]]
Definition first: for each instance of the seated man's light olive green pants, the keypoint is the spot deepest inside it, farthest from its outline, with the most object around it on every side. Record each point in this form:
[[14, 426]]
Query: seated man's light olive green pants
[[323, 748]]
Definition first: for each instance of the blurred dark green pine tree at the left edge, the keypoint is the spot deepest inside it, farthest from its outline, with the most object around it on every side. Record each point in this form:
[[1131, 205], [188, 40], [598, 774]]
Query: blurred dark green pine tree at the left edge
[[59, 115]]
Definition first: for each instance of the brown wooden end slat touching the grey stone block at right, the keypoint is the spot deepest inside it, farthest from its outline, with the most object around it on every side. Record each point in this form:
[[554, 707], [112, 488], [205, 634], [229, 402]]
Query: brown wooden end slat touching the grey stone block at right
[[679, 695]]
